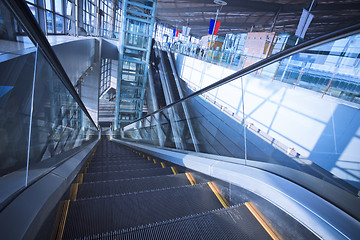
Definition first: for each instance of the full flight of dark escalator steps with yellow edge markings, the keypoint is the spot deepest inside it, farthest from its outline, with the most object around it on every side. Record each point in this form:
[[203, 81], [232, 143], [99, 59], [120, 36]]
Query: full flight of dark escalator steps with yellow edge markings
[[124, 194]]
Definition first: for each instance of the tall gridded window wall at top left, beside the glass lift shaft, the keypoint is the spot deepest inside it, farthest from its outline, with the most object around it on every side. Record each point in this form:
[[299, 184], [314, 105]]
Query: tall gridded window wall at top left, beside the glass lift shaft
[[94, 18]]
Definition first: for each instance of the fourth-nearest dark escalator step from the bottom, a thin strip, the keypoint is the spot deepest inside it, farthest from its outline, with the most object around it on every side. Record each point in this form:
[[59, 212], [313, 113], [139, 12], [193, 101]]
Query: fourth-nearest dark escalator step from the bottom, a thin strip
[[121, 167]]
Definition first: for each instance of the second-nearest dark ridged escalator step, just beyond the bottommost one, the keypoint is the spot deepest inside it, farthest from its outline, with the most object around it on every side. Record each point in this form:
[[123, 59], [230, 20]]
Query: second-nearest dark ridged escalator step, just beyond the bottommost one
[[101, 215]]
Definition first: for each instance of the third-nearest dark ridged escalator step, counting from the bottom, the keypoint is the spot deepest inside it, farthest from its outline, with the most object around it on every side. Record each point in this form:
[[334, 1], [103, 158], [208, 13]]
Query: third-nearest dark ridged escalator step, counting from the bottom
[[106, 188]]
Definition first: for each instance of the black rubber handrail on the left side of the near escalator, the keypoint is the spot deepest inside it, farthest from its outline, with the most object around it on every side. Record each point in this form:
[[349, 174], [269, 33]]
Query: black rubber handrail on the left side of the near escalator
[[25, 17]]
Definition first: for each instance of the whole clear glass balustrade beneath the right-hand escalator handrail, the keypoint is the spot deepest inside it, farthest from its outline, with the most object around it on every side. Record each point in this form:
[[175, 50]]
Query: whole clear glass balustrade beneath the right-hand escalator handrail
[[262, 118]]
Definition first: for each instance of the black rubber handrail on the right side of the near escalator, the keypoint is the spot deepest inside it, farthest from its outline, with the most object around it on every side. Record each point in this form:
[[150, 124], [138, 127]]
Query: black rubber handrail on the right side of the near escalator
[[266, 62]]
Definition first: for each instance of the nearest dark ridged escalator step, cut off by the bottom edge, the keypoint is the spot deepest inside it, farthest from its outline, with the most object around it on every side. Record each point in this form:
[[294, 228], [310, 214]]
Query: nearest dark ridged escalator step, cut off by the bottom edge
[[235, 222]]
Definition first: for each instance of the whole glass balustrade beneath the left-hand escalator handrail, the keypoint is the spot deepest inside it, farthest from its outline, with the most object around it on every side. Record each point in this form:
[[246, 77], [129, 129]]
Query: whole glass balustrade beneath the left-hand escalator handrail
[[41, 122]]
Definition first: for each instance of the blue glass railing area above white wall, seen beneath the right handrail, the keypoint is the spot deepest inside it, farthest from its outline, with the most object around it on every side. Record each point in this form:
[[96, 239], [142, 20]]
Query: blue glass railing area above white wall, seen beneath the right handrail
[[331, 69]]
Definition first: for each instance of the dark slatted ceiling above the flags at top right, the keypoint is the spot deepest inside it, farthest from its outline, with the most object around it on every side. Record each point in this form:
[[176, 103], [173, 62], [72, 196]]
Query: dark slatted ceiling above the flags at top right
[[239, 16]]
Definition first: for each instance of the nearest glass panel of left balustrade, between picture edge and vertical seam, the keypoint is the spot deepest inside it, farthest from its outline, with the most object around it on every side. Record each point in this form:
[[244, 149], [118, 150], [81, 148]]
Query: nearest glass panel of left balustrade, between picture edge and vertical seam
[[17, 61]]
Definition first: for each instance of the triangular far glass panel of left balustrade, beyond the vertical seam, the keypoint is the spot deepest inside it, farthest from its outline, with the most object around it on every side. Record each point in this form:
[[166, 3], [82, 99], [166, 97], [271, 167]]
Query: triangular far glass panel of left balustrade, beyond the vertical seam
[[59, 124]]
